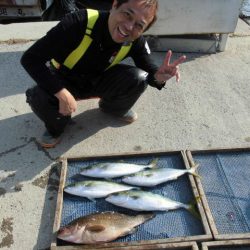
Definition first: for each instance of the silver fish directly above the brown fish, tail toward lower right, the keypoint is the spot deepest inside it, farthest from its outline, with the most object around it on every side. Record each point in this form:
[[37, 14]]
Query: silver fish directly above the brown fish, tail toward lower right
[[146, 201]]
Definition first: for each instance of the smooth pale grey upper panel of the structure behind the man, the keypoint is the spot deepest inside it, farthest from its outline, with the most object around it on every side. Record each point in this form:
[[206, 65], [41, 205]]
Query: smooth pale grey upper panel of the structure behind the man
[[177, 17]]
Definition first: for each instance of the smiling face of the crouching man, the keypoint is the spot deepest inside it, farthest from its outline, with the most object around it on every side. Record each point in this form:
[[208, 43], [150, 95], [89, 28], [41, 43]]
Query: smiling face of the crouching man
[[129, 20]]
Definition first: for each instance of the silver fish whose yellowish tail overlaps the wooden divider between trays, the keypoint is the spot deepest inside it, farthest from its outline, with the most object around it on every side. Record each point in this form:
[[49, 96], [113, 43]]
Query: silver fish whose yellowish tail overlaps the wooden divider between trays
[[153, 177]]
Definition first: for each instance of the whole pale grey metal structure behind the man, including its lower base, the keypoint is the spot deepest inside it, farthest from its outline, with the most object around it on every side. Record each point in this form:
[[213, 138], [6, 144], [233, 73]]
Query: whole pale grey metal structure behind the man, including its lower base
[[194, 25]]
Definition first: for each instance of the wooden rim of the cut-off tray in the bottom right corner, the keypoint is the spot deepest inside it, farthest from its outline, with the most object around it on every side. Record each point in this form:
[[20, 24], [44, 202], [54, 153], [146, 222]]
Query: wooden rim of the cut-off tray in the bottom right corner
[[228, 243]]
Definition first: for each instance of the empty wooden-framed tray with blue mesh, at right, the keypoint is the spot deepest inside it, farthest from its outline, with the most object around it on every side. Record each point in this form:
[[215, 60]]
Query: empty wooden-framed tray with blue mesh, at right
[[224, 190]]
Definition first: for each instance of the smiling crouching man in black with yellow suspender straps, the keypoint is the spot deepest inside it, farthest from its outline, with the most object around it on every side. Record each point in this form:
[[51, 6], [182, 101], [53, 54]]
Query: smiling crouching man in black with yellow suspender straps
[[80, 58]]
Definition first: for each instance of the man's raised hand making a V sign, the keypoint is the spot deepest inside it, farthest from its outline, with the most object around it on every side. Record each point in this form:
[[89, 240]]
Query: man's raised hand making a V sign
[[167, 70]]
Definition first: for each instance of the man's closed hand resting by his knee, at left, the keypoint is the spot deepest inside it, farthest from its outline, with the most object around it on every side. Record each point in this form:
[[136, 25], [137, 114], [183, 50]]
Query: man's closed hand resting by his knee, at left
[[67, 103]]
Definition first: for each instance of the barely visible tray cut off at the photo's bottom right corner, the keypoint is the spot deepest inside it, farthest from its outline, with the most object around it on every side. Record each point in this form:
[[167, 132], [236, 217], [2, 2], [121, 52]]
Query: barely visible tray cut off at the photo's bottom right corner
[[227, 245]]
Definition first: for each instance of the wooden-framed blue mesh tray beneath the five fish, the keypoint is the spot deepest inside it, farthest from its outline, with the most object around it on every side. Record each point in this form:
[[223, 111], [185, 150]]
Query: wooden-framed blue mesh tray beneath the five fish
[[166, 227]]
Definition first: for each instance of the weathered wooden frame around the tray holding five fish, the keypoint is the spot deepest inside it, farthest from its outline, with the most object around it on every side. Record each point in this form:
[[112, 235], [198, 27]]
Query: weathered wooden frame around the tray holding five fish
[[142, 244]]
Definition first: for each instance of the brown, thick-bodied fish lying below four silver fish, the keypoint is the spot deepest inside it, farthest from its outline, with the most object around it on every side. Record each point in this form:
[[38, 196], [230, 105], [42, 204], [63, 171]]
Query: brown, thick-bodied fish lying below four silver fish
[[101, 227]]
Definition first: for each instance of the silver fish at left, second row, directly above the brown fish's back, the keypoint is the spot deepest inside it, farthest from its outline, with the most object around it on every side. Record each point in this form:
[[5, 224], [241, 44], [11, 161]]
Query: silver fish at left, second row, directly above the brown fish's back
[[92, 189]]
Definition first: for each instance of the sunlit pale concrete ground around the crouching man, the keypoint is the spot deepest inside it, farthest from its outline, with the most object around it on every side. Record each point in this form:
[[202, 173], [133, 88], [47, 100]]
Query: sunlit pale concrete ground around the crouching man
[[210, 108]]
